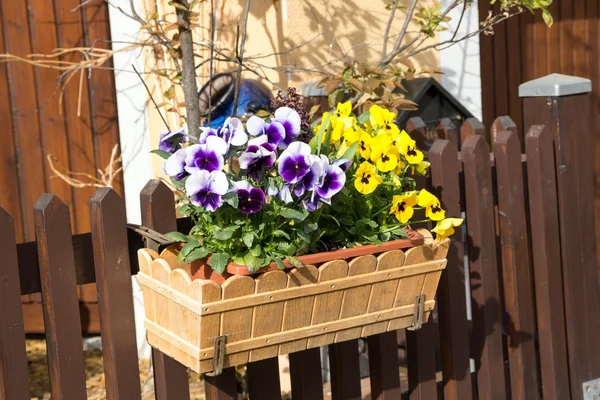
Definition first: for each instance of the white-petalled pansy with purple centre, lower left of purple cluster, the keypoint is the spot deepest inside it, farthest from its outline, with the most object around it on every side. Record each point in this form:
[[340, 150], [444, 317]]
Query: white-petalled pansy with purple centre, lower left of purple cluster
[[206, 188]]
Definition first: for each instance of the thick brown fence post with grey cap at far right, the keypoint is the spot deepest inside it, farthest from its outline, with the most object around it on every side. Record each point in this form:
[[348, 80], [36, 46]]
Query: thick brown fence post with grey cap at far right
[[562, 104]]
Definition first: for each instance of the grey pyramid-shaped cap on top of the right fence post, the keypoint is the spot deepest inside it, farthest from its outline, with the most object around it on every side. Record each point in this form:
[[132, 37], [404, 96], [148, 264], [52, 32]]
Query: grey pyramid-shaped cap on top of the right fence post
[[555, 85]]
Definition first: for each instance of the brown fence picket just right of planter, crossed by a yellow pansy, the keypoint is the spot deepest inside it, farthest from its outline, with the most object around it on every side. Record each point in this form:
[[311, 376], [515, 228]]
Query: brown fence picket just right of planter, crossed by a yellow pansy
[[451, 299]]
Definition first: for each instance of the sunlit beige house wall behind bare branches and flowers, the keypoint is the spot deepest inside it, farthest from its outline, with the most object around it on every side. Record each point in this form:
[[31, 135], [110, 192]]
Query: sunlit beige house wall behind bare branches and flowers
[[291, 42]]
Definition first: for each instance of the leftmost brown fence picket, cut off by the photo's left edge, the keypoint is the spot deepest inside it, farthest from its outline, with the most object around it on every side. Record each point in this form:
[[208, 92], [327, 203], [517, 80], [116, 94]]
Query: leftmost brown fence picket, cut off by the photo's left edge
[[13, 358]]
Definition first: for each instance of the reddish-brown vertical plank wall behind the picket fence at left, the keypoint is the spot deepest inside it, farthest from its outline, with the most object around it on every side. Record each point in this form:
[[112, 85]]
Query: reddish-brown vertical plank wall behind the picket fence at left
[[80, 131]]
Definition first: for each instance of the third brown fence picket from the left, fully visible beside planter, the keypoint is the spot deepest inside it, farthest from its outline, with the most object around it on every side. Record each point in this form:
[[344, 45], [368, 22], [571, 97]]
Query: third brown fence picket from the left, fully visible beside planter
[[115, 297]]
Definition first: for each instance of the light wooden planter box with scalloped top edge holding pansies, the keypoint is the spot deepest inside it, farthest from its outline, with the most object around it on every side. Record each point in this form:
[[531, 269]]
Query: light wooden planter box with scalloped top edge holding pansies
[[207, 326]]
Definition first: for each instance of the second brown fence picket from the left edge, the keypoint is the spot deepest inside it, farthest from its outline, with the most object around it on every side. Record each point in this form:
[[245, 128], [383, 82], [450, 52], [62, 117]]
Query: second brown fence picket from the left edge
[[60, 302]]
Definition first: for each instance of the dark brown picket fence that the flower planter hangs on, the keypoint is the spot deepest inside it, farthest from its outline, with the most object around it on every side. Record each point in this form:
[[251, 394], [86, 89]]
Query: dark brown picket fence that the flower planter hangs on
[[529, 321]]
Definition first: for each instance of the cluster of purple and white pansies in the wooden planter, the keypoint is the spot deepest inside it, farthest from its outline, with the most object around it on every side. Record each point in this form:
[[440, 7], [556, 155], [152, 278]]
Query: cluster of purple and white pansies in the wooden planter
[[293, 175]]
